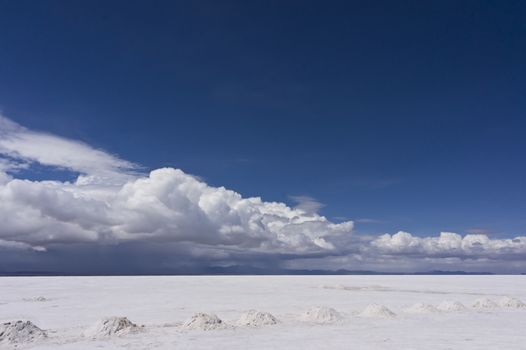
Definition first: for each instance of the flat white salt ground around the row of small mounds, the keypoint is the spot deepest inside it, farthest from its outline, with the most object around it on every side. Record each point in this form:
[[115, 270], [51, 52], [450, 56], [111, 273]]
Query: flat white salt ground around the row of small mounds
[[161, 304]]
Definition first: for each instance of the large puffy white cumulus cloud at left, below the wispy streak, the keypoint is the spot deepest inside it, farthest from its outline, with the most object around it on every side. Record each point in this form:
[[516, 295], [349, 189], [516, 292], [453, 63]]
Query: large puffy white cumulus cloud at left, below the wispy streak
[[168, 205]]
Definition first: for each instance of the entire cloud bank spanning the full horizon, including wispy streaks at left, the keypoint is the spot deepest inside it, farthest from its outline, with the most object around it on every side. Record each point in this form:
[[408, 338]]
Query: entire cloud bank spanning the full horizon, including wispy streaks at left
[[170, 218]]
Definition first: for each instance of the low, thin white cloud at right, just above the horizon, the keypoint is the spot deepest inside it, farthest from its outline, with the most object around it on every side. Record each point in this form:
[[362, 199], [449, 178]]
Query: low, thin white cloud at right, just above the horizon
[[404, 252]]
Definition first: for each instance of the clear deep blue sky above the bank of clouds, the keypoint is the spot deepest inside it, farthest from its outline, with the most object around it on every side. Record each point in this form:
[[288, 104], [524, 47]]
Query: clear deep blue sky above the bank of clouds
[[409, 113]]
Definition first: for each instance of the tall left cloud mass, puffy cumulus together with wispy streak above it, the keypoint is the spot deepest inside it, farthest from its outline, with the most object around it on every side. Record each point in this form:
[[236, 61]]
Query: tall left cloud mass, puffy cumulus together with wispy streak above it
[[166, 205]]
